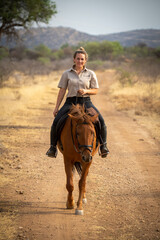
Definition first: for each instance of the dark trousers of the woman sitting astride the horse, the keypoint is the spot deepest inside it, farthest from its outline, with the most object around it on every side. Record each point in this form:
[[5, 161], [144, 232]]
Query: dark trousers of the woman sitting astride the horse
[[86, 101]]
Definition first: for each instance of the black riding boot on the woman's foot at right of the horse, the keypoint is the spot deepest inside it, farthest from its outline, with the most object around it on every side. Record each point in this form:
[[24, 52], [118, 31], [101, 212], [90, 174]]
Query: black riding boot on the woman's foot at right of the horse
[[103, 142]]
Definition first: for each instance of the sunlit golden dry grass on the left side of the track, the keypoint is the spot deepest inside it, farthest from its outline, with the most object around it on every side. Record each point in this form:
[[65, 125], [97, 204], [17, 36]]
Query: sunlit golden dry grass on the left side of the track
[[21, 92]]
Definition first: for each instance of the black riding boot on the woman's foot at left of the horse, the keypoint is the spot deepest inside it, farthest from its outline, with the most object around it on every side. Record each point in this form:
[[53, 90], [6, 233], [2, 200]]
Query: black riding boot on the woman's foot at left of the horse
[[52, 152]]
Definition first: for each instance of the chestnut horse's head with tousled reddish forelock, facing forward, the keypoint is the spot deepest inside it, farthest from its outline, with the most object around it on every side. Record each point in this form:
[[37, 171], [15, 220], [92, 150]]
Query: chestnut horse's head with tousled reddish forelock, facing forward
[[83, 133]]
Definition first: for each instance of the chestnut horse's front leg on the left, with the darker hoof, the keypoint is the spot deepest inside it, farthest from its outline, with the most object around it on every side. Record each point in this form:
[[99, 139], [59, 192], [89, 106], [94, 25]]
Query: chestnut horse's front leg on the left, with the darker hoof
[[69, 185]]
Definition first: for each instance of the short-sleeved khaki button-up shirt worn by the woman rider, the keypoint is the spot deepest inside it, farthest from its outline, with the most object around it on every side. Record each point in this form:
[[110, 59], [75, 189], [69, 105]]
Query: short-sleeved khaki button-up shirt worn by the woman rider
[[73, 82]]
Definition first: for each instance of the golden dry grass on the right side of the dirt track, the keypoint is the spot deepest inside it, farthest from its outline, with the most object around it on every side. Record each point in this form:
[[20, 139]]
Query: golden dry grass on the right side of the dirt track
[[141, 100]]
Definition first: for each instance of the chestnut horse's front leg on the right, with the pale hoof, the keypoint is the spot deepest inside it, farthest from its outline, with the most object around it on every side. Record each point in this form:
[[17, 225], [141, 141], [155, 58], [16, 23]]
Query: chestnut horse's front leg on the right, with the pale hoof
[[82, 184]]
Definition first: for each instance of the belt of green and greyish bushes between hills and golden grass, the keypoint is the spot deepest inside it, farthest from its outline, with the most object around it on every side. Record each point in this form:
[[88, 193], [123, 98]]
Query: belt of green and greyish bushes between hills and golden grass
[[102, 55]]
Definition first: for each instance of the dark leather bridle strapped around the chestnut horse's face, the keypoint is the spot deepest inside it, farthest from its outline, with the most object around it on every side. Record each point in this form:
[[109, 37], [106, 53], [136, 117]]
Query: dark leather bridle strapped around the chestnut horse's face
[[88, 147]]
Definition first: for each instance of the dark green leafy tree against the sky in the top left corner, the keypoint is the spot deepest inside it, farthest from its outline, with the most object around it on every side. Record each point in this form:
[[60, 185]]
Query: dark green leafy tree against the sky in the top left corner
[[16, 14]]
